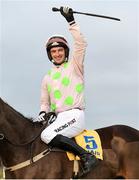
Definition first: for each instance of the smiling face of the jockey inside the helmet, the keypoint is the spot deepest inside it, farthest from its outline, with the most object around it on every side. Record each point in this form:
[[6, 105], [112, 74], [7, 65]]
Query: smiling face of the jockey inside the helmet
[[58, 54]]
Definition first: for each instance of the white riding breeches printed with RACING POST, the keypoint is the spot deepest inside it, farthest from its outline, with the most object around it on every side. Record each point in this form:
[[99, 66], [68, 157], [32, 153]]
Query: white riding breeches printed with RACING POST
[[68, 123]]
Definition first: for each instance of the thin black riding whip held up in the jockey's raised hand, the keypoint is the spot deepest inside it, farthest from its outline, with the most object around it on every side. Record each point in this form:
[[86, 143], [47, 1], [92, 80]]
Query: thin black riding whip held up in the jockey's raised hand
[[89, 14]]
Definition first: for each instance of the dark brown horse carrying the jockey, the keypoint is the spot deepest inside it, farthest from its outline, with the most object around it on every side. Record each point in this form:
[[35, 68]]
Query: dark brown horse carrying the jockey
[[25, 156]]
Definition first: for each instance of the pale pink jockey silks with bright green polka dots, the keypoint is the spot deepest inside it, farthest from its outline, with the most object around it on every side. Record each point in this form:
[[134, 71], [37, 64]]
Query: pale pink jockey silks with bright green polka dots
[[63, 86]]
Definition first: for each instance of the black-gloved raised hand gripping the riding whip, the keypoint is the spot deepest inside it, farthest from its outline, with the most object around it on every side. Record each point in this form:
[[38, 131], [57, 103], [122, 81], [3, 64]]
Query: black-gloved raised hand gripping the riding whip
[[68, 14]]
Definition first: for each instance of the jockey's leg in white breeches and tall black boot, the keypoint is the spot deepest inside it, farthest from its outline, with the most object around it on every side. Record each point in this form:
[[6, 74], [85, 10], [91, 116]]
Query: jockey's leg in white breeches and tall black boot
[[68, 125]]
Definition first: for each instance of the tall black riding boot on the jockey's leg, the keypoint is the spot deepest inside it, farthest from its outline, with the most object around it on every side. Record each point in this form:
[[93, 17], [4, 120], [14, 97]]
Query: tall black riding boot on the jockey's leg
[[88, 160]]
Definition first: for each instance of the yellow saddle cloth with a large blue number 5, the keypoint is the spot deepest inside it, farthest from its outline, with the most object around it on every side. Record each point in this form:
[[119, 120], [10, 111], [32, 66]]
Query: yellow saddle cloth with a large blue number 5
[[90, 141]]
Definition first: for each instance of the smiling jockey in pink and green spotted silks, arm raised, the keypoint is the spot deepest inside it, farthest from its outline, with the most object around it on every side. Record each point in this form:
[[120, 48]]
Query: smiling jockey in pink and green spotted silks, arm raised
[[62, 93]]
